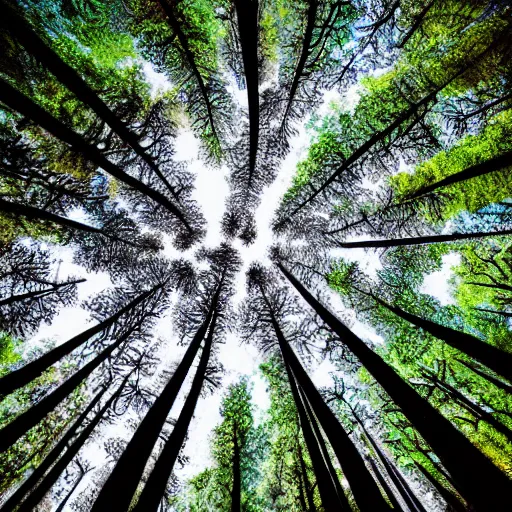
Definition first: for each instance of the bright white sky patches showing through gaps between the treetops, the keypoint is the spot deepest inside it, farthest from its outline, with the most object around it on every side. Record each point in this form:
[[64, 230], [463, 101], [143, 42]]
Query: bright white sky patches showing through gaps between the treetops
[[211, 190]]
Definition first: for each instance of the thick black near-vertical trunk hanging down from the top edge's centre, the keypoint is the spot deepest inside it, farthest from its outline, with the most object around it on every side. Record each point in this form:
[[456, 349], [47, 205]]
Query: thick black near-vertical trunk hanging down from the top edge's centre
[[247, 15]]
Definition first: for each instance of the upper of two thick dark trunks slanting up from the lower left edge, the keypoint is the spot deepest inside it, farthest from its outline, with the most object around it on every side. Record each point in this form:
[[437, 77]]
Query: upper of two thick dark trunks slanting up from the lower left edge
[[31, 371]]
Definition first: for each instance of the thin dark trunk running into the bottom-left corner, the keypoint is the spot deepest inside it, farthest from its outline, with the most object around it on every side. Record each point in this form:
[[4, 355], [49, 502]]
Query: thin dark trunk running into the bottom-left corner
[[30, 483]]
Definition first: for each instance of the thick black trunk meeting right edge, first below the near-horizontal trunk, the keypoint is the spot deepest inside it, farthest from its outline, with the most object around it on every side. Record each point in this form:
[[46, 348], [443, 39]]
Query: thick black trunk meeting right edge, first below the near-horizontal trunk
[[492, 357]]
